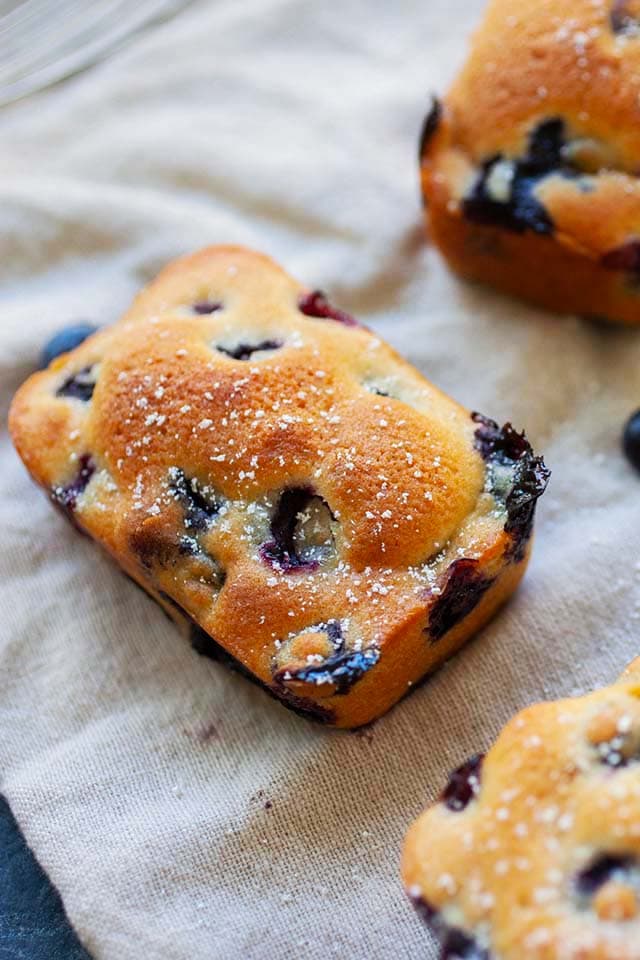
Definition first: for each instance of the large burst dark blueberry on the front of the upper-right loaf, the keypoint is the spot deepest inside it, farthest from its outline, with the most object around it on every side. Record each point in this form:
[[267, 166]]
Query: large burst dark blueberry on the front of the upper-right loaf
[[523, 212]]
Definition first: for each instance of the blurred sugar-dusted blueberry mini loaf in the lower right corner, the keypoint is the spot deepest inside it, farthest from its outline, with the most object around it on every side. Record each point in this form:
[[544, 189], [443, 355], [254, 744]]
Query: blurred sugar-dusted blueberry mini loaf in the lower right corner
[[533, 852]]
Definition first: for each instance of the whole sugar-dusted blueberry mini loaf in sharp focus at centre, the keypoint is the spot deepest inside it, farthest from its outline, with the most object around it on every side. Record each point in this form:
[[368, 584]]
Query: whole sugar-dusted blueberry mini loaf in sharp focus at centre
[[283, 483]]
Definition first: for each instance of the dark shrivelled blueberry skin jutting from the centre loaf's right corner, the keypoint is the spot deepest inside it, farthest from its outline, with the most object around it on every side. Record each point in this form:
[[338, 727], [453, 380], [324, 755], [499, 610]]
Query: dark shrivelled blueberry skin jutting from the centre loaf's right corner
[[506, 446]]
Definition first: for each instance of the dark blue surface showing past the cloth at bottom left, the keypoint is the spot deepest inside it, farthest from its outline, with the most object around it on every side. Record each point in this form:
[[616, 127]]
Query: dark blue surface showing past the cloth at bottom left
[[33, 924]]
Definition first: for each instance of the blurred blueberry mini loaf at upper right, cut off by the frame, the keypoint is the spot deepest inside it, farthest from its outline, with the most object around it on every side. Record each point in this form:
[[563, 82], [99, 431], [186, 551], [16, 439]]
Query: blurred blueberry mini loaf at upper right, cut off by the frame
[[530, 167]]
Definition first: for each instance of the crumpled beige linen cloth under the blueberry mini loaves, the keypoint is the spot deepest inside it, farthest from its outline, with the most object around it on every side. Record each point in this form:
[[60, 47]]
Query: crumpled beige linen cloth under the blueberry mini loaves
[[180, 812]]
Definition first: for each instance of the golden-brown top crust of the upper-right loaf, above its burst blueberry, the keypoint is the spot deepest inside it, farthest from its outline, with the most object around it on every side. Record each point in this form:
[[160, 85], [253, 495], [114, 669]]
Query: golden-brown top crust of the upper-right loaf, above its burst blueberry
[[576, 59]]
